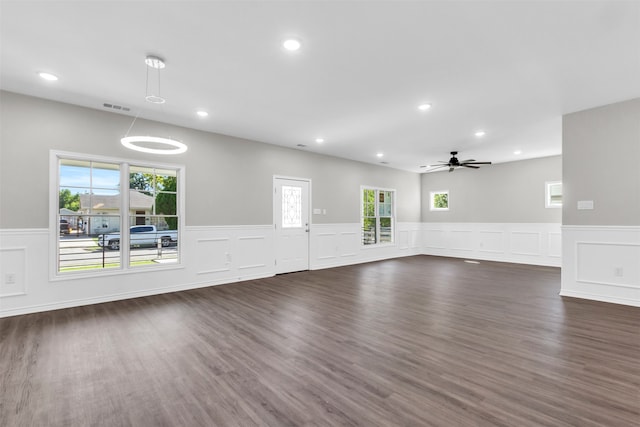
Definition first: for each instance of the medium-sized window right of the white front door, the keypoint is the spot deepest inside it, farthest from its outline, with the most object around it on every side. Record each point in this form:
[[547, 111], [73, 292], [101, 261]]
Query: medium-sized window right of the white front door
[[377, 215]]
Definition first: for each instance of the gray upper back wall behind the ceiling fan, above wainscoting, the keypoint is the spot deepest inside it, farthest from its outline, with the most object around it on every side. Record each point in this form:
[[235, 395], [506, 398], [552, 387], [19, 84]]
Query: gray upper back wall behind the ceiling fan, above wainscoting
[[505, 192]]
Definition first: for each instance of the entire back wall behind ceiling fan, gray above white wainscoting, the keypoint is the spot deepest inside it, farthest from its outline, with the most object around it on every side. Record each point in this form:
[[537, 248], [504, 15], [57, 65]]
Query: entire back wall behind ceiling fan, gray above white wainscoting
[[496, 213]]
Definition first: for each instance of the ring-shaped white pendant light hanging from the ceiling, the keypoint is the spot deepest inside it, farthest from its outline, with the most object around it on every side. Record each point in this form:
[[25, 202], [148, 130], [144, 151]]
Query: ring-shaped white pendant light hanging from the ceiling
[[153, 144]]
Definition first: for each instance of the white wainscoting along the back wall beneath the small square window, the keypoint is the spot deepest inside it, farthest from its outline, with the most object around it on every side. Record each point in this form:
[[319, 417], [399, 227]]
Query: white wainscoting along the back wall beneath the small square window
[[526, 243]]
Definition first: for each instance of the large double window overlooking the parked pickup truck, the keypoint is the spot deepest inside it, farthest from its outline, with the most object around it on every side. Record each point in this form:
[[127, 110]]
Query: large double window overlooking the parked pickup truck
[[93, 215]]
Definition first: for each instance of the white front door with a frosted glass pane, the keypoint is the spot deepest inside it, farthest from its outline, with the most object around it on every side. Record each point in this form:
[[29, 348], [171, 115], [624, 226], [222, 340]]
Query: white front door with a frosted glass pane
[[291, 222]]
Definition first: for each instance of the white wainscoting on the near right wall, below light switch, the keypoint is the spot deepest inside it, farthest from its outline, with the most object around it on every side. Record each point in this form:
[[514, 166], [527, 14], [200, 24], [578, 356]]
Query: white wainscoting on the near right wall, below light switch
[[601, 263]]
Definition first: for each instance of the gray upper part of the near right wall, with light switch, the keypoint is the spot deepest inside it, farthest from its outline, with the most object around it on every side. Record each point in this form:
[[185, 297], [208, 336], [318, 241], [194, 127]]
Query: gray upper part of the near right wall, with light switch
[[601, 148]]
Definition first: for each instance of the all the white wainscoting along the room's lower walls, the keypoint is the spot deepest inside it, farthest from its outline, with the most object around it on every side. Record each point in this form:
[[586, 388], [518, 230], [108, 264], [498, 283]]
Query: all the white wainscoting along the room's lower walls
[[598, 263]]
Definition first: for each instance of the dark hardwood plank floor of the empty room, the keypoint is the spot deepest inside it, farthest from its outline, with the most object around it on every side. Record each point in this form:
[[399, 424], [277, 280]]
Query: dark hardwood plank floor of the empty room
[[418, 341]]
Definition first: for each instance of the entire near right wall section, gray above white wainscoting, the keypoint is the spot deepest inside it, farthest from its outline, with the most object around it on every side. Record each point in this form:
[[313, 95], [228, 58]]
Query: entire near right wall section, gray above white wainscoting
[[601, 246]]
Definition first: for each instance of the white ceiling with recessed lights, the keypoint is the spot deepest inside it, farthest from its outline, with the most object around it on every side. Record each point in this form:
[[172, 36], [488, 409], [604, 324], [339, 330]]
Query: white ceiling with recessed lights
[[510, 68]]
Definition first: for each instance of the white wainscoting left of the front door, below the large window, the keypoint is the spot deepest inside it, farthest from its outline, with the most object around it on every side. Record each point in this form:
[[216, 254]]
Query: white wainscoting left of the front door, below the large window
[[209, 256]]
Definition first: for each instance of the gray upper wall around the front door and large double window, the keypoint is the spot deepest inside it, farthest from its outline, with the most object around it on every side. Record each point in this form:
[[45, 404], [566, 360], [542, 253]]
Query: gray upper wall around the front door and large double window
[[229, 180]]
